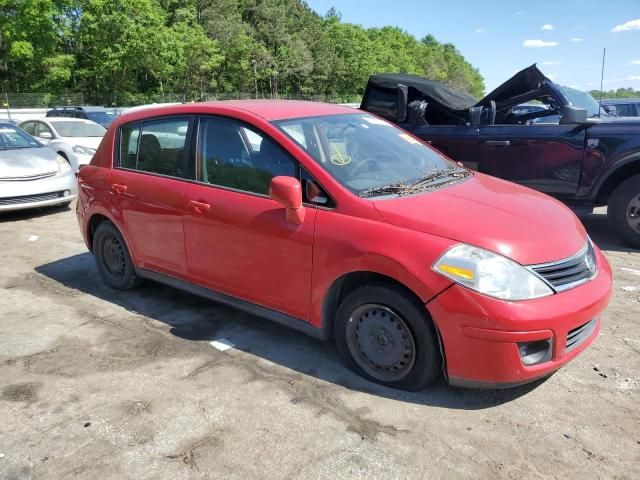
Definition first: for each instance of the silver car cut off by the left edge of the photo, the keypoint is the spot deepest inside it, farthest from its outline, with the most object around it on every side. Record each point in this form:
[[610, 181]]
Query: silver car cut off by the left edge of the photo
[[32, 175]]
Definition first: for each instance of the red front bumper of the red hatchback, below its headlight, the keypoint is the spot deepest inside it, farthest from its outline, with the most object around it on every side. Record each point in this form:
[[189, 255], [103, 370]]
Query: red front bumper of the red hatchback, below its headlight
[[480, 334]]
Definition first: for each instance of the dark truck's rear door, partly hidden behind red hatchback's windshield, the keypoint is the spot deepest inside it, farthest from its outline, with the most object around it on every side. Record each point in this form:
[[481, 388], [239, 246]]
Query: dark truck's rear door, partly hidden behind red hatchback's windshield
[[458, 142]]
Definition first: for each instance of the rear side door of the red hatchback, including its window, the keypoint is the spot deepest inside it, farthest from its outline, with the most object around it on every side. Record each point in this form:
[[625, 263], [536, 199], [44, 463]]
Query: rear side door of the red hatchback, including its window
[[147, 184]]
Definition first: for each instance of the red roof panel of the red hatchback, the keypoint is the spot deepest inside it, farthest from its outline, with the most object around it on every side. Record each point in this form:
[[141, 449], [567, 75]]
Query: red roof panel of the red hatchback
[[267, 109]]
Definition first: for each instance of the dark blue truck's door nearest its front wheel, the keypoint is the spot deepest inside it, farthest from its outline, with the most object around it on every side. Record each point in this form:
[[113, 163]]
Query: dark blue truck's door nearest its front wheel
[[545, 157]]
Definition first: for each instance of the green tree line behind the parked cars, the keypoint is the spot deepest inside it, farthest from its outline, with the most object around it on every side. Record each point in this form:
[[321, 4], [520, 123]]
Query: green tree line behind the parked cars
[[128, 51]]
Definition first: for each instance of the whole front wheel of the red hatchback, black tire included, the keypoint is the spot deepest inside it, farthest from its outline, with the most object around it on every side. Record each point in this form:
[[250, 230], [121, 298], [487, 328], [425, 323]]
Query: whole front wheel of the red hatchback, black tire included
[[412, 362]]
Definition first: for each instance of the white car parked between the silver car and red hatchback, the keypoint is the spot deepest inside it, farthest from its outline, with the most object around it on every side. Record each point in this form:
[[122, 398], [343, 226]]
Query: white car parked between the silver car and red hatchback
[[74, 139]]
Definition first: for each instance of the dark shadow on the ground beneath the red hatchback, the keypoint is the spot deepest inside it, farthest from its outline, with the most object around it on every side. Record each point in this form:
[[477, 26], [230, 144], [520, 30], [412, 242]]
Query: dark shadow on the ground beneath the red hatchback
[[199, 320]]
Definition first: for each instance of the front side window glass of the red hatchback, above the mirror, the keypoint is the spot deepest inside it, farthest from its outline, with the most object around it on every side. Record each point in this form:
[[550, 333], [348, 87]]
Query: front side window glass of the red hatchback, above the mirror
[[235, 156]]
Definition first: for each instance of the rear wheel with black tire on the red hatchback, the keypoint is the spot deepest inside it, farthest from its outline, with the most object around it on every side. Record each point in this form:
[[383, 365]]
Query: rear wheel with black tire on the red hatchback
[[113, 259]]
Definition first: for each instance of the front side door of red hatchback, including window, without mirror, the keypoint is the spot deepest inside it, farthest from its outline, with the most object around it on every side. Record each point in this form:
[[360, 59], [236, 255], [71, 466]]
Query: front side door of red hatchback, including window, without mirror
[[238, 240]]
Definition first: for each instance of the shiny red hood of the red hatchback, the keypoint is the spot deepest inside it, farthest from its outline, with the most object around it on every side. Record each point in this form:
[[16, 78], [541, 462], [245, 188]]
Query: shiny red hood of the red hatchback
[[522, 224]]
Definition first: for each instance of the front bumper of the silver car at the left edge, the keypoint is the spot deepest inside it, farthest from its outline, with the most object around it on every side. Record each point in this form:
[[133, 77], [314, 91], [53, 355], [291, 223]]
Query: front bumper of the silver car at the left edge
[[43, 192]]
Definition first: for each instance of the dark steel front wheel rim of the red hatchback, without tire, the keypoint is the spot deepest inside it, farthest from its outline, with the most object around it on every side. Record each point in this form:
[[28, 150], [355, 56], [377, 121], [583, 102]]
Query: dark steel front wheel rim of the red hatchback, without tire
[[380, 342]]
